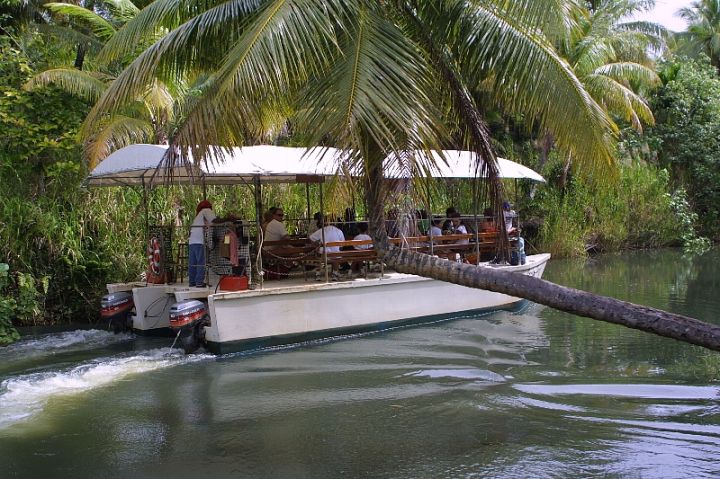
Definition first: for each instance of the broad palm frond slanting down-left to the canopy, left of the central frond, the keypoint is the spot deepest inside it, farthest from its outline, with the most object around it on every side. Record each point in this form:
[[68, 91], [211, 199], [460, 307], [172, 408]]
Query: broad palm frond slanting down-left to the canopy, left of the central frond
[[286, 43]]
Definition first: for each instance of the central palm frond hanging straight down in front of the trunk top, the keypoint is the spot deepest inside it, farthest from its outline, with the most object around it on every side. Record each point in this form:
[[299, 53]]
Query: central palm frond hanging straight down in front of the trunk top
[[378, 86]]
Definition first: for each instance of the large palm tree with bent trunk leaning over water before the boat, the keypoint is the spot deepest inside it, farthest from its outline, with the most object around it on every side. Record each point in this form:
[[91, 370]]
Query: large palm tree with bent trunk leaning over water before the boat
[[374, 77]]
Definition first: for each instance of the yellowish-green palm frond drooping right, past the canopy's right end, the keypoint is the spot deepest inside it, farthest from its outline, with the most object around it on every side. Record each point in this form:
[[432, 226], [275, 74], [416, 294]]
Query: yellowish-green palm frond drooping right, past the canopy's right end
[[529, 77]]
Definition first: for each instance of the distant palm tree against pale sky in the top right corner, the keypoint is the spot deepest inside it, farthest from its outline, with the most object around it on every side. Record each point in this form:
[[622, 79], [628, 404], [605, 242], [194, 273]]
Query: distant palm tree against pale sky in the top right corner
[[703, 32]]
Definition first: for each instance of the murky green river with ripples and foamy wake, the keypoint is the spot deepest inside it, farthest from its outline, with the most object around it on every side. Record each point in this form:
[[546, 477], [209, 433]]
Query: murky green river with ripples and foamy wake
[[534, 393]]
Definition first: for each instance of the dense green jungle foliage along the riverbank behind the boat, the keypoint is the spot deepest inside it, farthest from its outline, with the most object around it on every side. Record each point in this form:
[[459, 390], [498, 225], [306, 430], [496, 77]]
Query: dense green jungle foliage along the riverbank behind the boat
[[60, 243]]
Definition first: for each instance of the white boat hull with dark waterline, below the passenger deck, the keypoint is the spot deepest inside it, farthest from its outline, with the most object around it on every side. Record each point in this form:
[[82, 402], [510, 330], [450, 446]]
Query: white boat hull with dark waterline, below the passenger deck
[[287, 314]]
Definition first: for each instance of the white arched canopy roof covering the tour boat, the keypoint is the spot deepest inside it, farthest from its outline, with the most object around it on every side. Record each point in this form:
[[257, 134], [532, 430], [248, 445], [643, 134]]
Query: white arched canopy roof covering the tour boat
[[142, 164]]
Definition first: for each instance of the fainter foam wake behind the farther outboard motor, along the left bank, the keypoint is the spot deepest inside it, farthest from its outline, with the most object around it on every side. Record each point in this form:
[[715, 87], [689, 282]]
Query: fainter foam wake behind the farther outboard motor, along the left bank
[[56, 342]]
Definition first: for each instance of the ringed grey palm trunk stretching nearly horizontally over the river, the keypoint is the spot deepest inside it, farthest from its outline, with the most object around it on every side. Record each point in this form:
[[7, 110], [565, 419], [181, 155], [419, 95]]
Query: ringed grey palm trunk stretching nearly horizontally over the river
[[570, 300]]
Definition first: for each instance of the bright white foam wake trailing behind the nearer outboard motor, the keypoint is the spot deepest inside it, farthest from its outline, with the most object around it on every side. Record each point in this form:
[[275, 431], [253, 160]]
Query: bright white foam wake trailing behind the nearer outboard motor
[[23, 397]]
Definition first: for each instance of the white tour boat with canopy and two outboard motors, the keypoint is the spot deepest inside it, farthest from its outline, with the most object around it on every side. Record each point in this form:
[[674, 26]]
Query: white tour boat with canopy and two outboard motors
[[261, 313]]
